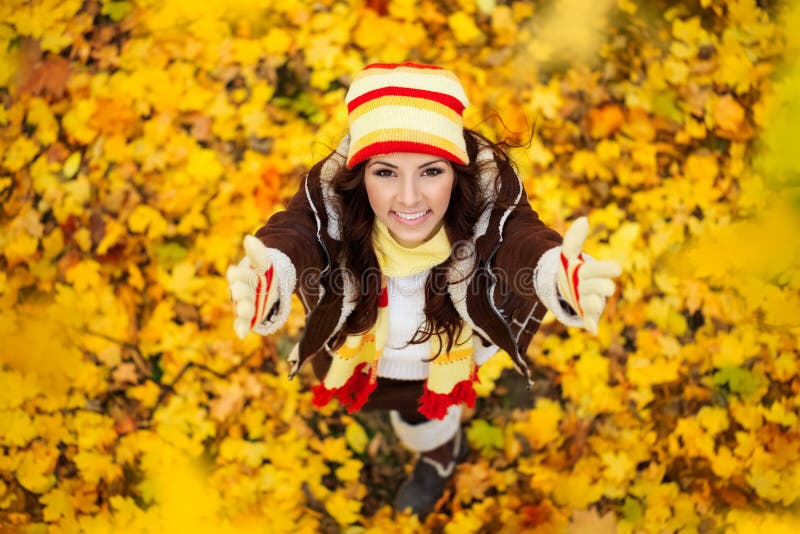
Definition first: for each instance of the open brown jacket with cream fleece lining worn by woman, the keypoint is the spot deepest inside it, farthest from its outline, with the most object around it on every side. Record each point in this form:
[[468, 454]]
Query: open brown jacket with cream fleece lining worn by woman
[[497, 299]]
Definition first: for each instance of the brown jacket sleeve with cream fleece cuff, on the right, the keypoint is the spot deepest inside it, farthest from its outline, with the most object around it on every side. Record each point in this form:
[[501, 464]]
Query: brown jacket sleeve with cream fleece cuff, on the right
[[528, 261]]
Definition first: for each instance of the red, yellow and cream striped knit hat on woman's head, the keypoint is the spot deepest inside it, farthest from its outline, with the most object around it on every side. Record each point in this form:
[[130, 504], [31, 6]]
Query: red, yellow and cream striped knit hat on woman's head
[[406, 108]]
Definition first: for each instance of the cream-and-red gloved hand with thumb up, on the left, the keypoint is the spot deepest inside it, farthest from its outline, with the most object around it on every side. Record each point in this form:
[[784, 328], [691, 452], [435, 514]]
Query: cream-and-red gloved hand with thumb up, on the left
[[251, 286]]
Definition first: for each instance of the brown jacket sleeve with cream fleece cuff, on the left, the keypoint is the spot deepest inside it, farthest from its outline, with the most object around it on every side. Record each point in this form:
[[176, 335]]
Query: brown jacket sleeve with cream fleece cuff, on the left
[[296, 254]]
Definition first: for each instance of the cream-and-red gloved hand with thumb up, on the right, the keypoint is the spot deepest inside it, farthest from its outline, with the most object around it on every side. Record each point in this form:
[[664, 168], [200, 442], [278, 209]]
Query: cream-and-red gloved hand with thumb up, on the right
[[584, 283]]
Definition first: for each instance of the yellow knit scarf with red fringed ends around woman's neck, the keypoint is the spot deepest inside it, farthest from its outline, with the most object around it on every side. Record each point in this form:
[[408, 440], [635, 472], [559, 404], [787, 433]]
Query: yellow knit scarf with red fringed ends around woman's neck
[[353, 372]]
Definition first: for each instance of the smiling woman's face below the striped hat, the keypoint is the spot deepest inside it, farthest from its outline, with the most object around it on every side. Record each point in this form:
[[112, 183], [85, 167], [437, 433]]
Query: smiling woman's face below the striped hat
[[409, 193]]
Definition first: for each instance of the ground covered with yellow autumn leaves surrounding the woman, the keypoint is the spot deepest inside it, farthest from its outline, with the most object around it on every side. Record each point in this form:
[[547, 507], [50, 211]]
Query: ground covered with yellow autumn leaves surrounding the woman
[[140, 140]]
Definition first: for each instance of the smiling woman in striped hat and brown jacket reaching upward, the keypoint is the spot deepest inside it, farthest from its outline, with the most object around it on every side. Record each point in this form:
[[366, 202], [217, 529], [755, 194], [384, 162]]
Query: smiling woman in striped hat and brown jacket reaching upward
[[417, 257]]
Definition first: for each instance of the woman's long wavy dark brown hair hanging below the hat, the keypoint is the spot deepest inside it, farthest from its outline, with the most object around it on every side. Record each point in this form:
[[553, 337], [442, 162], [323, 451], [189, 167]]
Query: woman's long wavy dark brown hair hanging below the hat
[[465, 207]]
